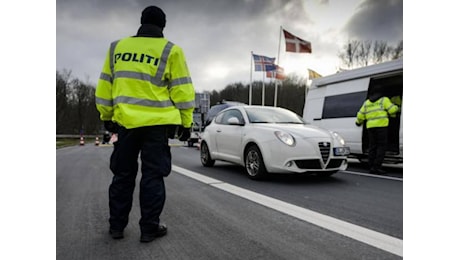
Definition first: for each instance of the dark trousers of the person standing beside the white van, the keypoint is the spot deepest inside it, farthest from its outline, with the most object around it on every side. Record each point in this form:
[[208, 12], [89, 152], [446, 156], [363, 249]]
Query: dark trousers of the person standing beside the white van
[[377, 146]]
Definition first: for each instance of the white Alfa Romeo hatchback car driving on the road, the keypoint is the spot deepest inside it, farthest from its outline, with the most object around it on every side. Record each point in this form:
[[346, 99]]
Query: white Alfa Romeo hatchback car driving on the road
[[271, 140]]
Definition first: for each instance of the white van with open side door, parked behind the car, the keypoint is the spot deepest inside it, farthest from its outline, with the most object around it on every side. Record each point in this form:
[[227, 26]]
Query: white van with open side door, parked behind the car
[[332, 102]]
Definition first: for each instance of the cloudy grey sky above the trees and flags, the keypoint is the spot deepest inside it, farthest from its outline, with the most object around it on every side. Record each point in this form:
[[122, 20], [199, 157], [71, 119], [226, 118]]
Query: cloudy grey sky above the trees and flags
[[218, 35]]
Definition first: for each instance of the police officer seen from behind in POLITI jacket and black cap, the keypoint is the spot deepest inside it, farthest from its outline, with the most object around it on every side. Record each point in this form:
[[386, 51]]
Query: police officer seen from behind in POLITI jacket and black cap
[[145, 94]]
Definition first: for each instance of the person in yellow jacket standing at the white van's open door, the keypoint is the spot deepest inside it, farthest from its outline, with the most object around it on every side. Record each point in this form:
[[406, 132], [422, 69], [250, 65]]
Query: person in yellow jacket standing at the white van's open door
[[375, 111]]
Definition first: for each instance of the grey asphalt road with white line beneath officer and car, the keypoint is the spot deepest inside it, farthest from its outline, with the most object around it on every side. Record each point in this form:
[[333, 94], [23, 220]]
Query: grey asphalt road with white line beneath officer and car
[[229, 216]]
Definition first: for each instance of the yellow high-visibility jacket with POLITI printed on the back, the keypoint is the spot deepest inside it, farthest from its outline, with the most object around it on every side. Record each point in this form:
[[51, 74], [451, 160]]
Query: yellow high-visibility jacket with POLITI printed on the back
[[145, 81]]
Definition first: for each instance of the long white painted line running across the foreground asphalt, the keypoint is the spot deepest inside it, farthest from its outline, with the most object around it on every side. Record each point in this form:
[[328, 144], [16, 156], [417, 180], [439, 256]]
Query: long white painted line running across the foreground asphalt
[[365, 235]]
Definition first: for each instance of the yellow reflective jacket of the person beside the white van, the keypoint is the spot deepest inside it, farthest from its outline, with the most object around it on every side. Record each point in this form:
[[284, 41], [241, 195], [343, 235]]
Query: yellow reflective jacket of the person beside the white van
[[376, 113]]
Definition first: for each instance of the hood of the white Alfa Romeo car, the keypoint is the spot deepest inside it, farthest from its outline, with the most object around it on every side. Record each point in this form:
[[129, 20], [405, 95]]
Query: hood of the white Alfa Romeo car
[[304, 131]]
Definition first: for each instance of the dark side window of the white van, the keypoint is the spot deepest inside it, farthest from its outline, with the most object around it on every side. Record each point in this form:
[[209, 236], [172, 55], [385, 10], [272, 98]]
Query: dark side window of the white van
[[345, 105]]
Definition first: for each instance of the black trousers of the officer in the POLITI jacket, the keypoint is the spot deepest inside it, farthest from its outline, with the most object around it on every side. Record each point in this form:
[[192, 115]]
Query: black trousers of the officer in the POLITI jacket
[[155, 155]]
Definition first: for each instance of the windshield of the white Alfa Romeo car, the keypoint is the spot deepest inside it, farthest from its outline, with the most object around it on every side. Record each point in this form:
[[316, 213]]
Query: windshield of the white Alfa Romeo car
[[272, 115]]
